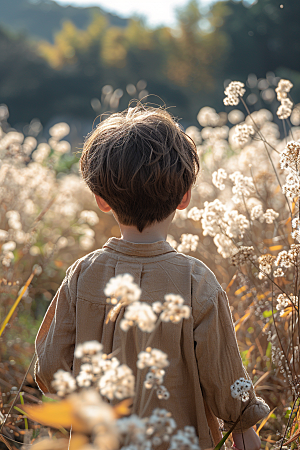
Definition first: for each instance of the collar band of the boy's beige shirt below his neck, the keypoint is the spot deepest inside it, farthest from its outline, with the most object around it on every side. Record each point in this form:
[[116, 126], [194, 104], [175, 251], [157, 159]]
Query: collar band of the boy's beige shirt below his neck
[[134, 249]]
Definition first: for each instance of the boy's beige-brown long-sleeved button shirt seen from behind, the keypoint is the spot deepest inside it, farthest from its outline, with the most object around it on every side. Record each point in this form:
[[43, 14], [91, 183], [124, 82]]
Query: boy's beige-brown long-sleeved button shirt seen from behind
[[202, 350]]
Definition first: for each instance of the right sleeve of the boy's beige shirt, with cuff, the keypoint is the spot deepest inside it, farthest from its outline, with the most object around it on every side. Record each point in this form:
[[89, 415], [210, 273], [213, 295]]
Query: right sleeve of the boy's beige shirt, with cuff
[[220, 365]]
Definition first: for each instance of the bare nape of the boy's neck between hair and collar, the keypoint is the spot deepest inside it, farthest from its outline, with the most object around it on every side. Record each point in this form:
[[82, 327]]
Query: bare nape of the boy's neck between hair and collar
[[156, 232]]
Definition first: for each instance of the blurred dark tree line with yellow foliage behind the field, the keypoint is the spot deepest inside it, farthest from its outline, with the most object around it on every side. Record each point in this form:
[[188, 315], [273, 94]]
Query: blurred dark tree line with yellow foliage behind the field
[[185, 66]]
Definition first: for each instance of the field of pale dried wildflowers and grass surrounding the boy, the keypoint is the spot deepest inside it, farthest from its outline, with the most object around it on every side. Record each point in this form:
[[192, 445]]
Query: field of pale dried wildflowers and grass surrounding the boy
[[243, 223]]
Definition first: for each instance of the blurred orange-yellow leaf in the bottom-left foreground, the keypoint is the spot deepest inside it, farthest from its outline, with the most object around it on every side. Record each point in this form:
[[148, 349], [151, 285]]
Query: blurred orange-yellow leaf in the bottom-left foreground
[[56, 415]]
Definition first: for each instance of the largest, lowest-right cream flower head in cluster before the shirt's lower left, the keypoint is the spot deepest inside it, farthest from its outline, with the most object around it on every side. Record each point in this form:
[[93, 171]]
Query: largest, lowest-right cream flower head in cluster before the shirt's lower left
[[117, 383]]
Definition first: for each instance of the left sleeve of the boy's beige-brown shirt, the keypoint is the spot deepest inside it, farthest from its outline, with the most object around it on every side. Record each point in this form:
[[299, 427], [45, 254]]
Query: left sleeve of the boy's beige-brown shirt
[[55, 341]]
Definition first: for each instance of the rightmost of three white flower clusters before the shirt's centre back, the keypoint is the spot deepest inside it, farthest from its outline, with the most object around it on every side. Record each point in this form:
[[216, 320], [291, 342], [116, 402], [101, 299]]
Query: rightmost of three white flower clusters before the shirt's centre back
[[172, 309]]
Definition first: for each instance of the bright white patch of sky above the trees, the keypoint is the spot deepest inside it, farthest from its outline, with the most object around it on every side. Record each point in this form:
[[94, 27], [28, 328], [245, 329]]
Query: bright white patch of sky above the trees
[[157, 12]]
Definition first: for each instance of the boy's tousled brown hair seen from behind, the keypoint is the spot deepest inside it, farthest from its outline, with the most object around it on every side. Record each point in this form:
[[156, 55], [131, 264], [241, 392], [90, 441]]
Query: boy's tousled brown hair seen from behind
[[141, 163]]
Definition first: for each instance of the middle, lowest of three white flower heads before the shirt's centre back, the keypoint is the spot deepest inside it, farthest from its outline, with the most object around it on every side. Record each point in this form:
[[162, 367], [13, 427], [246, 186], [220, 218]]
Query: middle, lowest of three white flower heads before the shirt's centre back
[[140, 314]]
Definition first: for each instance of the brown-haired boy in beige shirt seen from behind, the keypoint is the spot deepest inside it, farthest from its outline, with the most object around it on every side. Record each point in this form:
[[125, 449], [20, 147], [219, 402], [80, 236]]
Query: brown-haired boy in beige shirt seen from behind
[[141, 165]]
